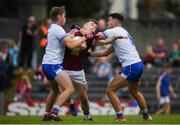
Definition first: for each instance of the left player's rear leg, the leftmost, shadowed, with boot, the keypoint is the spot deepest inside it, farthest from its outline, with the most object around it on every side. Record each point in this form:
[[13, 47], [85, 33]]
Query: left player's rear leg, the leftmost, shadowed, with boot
[[54, 92]]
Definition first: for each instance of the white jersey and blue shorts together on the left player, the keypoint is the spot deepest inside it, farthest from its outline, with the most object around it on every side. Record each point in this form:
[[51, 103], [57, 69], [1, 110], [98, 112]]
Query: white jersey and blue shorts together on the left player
[[54, 54]]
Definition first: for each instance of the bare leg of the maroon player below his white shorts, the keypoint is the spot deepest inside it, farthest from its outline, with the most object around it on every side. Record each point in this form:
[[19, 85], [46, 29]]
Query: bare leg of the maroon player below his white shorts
[[82, 90]]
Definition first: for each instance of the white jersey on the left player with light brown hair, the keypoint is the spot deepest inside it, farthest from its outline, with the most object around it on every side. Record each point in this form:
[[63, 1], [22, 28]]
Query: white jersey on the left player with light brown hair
[[55, 48]]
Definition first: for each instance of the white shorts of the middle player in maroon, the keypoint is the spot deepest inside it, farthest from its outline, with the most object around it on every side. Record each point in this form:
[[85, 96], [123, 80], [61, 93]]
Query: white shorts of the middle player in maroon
[[77, 77]]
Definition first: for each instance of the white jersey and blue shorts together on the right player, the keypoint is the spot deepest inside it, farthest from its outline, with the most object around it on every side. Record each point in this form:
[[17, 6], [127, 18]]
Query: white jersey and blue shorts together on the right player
[[127, 54]]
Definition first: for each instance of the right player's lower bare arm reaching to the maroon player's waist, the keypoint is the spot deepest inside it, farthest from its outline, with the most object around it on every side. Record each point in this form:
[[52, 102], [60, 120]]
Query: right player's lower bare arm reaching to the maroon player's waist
[[102, 53]]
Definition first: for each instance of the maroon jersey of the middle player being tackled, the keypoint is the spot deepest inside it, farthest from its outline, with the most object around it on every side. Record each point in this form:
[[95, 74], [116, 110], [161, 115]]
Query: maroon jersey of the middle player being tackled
[[74, 60]]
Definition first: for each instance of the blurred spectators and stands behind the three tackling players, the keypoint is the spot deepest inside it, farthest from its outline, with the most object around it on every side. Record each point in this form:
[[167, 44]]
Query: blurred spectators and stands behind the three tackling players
[[154, 25]]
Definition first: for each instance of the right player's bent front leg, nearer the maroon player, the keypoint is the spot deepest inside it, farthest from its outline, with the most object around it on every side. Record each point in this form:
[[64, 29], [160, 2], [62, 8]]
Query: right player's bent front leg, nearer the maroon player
[[117, 82]]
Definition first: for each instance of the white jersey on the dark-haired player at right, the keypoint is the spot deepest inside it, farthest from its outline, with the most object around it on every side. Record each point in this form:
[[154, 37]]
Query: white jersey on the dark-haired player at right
[[124, 48]]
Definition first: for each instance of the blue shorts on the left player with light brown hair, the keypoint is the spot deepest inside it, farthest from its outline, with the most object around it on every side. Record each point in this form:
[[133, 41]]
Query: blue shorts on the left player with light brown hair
[[51, 70]]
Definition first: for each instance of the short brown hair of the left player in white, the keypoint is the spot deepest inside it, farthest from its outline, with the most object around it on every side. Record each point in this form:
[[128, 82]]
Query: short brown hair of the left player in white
[[55, 11]]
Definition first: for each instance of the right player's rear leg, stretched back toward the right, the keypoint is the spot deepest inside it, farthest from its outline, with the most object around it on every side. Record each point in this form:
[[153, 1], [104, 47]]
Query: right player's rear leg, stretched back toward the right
[[134, 90]]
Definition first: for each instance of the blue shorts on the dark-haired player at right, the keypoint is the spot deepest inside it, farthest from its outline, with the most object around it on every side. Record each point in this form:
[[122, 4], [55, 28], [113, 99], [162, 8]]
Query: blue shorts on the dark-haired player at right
[[132, 73]]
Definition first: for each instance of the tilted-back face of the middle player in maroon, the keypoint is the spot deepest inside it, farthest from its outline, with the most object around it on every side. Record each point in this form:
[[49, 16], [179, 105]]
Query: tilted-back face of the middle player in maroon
[[90, 26]]
